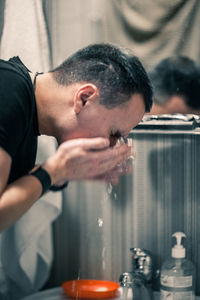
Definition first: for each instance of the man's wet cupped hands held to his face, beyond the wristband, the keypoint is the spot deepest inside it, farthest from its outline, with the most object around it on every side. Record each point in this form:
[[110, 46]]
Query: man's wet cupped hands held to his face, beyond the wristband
[[85, 159]]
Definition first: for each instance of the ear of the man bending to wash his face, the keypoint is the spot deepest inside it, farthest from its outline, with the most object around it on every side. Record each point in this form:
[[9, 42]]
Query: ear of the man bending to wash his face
[[85, 93]]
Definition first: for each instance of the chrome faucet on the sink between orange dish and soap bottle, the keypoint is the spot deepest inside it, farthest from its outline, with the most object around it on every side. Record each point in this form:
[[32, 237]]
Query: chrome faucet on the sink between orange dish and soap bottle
[[135, 284]]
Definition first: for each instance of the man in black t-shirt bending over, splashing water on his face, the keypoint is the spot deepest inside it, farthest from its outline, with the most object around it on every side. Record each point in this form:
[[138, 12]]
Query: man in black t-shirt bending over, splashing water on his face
[[96, 96]]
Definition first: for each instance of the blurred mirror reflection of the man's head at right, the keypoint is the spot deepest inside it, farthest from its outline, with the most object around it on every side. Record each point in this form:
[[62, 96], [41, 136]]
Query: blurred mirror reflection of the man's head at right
[[176, 82]]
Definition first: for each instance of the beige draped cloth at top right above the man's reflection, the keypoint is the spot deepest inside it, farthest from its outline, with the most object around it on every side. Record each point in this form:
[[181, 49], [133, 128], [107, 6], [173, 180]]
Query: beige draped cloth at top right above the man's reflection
[[154, 29]]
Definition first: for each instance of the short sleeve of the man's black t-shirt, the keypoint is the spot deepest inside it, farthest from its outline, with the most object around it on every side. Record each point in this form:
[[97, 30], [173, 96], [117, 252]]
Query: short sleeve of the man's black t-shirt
[[14, 110]]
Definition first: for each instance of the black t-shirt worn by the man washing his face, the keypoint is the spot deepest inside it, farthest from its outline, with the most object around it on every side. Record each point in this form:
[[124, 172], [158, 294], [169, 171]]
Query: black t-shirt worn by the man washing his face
[[18, 117]]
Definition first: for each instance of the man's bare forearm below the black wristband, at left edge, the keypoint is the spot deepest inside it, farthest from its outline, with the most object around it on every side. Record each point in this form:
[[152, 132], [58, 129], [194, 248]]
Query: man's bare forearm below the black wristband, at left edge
[[17, 198]]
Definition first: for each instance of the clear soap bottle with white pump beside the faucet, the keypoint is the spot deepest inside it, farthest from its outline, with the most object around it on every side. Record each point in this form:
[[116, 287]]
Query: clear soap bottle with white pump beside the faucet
[[177, 276]]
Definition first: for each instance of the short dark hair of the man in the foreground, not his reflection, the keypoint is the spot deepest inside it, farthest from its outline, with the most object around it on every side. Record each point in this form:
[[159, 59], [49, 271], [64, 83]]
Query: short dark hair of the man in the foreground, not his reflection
[[116, 73]]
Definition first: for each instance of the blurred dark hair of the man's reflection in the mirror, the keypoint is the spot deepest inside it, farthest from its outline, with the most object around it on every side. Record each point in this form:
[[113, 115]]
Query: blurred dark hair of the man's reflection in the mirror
[[176, 75]]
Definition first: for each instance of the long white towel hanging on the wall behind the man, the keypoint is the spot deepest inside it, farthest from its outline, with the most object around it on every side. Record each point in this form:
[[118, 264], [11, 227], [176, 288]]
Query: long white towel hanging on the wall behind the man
[[26, 249]]
